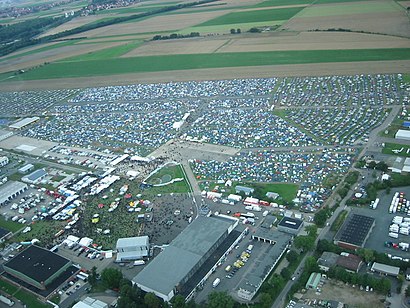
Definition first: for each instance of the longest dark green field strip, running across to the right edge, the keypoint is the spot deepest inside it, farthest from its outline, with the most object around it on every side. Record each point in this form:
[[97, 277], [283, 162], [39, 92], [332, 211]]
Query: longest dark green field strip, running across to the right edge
[[197, 61]]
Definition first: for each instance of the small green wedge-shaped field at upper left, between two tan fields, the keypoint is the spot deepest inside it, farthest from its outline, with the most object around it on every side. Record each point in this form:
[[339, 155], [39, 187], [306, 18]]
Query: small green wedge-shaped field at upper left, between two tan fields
[[108, 53]]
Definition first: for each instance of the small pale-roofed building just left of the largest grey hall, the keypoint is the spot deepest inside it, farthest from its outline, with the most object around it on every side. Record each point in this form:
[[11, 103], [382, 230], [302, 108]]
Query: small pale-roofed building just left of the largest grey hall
[[132, 248]]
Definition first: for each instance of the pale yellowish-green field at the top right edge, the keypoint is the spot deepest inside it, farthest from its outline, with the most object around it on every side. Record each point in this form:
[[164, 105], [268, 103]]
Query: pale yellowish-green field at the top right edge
[[349, 9]]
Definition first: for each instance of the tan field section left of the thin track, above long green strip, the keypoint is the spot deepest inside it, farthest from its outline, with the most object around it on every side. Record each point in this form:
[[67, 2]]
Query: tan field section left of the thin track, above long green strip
[[180, 46]]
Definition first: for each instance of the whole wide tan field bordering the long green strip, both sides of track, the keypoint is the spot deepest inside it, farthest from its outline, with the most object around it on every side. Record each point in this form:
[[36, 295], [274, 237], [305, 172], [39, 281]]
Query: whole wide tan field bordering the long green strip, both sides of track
[[271, 42]]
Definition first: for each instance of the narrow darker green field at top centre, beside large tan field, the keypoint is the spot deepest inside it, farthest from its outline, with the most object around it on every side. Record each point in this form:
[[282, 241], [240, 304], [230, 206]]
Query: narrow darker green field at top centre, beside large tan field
[[253, 16]]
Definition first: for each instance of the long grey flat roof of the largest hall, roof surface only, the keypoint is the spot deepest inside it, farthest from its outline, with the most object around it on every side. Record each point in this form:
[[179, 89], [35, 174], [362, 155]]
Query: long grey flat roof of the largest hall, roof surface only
[[173, 264]]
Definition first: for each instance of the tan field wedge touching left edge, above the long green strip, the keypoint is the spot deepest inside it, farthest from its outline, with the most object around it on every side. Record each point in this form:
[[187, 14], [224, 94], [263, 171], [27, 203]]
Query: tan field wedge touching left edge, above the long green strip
[[51, 55]]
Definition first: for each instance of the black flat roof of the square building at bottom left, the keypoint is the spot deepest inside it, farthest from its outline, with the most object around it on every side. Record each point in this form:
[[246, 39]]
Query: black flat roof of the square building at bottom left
[[37, 263]]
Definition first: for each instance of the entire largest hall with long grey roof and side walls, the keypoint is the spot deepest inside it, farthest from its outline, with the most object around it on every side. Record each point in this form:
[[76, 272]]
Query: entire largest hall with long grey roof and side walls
[[176, 268]]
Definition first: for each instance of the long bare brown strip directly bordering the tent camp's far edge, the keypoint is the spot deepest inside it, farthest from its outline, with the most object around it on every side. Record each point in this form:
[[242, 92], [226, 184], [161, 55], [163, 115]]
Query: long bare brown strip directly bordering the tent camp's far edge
[[320, 69]]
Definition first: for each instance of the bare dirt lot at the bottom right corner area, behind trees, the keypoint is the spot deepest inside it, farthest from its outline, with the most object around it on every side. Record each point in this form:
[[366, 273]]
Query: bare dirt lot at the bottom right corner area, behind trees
[[334, 290]]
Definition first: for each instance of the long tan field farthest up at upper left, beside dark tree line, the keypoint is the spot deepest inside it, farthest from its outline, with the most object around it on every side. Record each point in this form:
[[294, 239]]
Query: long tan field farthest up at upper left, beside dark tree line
[[154, 24]]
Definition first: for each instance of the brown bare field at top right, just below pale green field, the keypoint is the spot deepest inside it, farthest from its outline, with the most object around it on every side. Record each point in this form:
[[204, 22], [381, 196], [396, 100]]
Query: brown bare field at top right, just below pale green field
[[394, 22]]
